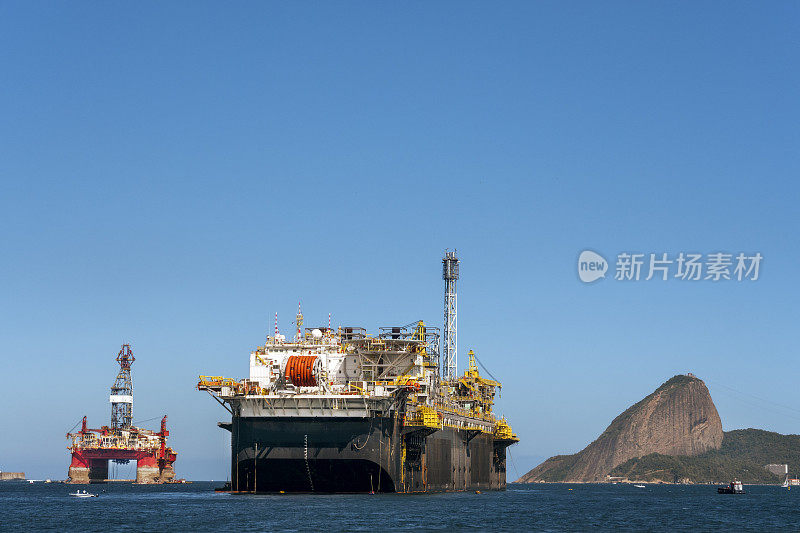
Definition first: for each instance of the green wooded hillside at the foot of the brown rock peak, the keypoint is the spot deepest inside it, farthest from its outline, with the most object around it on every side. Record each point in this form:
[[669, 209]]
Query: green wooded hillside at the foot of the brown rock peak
[[743, 455]]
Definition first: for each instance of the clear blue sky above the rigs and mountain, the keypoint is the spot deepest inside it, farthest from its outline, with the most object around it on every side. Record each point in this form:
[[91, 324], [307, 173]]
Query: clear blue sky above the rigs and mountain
[[172, 174]]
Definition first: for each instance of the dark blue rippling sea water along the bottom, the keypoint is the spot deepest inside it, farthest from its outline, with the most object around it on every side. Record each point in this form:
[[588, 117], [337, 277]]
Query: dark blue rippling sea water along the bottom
[[539, 507]]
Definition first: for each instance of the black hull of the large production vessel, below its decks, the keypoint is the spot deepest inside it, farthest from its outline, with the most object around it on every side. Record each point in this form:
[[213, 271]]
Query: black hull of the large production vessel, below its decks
[[351, 455]]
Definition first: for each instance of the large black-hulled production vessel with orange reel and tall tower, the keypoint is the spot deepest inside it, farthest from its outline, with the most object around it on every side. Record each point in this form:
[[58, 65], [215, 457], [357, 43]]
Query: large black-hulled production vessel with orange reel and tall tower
[[344, 411]]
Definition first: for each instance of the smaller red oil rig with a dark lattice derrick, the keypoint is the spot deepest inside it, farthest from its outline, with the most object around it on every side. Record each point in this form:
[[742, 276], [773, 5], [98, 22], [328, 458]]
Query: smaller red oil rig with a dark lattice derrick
[[121, 442]]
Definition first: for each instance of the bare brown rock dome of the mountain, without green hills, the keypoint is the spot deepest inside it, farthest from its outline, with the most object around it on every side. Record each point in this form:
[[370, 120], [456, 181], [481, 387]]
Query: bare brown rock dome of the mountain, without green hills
[[678, 419]]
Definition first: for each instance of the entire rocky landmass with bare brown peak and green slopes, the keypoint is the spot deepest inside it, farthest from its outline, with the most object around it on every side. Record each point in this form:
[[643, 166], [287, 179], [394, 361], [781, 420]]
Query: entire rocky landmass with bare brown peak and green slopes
[[674, 435]]
